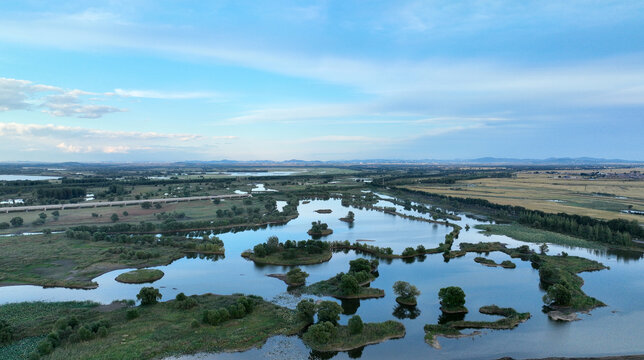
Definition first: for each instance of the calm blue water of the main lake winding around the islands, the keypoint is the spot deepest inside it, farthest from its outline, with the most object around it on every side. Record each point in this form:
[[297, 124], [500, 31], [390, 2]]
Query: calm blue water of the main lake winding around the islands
[[615, 329]]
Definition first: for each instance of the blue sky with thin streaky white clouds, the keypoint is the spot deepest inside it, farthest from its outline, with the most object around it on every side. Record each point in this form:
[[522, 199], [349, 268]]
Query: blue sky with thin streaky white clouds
[[320, 80]]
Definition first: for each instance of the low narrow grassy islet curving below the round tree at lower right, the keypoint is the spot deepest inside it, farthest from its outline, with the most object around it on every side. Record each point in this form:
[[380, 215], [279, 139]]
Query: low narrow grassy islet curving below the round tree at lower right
[[511, 318]]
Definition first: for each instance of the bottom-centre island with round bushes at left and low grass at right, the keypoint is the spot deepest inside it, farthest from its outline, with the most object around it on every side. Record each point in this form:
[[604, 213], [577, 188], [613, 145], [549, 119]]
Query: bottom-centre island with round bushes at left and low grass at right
[[328, 335]]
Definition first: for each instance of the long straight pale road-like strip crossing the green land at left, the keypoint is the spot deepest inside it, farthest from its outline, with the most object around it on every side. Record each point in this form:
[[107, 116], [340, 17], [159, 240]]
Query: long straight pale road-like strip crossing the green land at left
[[116, 203]]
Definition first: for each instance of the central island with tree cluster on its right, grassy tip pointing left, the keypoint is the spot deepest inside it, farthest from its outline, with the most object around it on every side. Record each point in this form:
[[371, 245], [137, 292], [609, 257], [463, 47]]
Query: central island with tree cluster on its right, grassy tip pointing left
[[352, 285]]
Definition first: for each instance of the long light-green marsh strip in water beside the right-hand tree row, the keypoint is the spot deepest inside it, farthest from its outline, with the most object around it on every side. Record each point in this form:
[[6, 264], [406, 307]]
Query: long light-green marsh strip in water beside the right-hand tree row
[[537, 236]]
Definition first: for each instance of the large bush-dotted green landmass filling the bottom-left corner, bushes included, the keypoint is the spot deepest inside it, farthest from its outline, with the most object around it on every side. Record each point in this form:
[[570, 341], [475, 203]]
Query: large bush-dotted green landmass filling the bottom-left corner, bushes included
[[204, 323]]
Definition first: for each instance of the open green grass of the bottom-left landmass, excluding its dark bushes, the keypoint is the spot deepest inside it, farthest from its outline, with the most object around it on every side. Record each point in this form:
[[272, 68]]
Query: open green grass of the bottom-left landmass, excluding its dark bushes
[[160, 330]]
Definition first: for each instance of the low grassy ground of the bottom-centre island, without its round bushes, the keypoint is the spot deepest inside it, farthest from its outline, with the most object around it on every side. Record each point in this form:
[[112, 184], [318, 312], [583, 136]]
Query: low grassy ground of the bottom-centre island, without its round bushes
[[341, 338]]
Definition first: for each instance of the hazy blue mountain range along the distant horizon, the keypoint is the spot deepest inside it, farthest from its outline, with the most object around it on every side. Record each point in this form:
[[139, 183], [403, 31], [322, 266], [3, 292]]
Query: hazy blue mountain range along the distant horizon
[[565, 161]]
